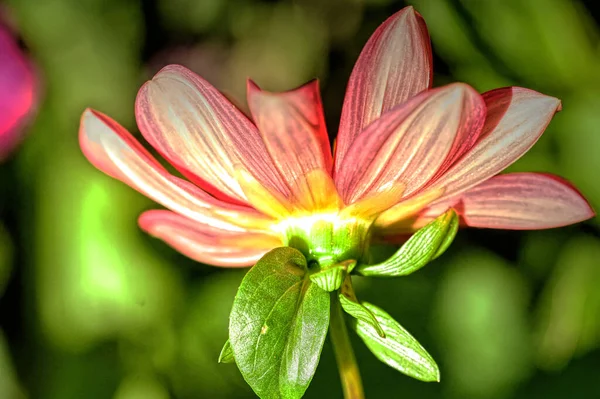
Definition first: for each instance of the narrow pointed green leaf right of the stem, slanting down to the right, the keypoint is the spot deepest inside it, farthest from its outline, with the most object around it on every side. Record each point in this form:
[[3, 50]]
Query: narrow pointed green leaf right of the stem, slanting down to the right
[[398, 349]]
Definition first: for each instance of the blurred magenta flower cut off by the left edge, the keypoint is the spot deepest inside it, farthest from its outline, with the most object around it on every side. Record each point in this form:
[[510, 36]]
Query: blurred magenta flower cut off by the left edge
[[17, 93]]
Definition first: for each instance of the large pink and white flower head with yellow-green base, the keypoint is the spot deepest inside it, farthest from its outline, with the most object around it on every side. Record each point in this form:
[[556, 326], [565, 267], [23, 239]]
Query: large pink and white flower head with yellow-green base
[[405, 153]]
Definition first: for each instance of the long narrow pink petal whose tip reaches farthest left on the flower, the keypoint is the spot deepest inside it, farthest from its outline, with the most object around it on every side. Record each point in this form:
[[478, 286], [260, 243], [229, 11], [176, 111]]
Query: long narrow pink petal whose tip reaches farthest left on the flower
[[110, 148]]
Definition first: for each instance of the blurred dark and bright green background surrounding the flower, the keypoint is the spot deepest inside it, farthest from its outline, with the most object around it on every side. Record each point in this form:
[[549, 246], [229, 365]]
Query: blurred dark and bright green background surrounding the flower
[[93, 308]]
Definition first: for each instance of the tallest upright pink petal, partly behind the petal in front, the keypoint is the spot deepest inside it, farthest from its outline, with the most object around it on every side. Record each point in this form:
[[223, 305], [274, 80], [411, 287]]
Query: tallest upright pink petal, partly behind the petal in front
[[394, 65]]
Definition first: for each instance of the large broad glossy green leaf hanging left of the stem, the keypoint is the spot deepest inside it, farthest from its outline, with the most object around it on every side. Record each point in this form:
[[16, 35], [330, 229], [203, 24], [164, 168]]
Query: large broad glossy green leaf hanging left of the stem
[[278, 325]]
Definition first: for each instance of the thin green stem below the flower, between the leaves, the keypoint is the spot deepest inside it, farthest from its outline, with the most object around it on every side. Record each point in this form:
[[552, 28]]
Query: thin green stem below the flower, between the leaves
[[344, 355]]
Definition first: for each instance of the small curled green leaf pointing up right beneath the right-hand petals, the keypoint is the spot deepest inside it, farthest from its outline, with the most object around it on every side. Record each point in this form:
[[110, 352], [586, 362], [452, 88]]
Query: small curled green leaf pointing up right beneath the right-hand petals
[[421, 248]]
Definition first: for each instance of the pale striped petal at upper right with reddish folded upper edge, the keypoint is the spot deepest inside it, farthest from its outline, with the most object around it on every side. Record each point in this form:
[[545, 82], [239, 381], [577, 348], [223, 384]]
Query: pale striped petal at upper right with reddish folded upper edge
[[516, 118]]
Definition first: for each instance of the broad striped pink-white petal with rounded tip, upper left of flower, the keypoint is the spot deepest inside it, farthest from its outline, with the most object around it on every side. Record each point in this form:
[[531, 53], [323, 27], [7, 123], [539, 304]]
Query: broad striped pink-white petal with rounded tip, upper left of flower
[[202, 134]]
